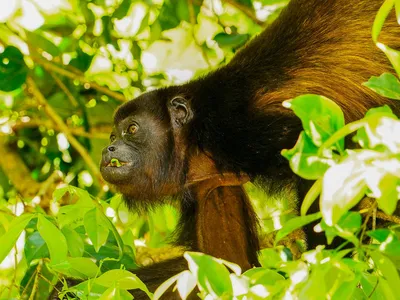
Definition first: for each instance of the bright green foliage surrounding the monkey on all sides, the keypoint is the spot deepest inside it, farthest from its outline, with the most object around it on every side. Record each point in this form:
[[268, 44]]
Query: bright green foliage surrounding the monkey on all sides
[[65, 65]]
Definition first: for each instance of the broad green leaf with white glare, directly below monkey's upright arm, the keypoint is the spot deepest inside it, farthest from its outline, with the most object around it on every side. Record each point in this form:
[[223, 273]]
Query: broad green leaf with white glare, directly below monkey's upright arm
[[212, 276]]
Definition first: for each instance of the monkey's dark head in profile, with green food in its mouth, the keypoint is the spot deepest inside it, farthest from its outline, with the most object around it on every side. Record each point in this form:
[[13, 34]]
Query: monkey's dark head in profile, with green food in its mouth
[[146, 159]]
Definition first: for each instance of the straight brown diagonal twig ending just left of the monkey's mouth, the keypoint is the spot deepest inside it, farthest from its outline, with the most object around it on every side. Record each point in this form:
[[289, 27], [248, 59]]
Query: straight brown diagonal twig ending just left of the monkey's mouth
[[51, 113]]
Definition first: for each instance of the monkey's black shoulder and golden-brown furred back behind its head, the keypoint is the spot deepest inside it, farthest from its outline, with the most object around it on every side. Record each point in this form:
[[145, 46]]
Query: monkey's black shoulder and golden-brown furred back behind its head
[[314, 47]]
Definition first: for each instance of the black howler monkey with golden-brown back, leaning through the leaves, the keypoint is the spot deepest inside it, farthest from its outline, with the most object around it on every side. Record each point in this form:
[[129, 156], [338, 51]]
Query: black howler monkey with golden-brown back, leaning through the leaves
[[202, 140]]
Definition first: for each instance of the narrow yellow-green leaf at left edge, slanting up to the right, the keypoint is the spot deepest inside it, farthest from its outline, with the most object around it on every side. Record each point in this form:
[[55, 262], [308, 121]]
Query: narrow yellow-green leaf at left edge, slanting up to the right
[[9, 239]]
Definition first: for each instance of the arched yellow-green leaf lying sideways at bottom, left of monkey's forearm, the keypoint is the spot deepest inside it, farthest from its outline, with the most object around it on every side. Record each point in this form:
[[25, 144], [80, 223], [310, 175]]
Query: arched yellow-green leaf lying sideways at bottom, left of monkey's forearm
[[122, 279]]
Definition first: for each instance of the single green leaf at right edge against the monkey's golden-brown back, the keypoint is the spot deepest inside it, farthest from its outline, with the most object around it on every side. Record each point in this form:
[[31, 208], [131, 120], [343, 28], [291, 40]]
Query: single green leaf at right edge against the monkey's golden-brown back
[[386, 85]]
